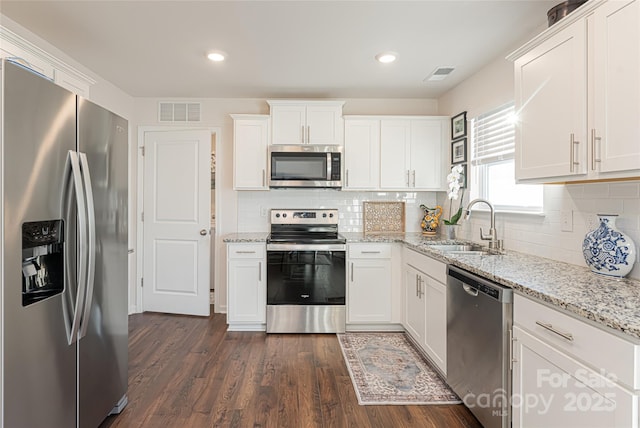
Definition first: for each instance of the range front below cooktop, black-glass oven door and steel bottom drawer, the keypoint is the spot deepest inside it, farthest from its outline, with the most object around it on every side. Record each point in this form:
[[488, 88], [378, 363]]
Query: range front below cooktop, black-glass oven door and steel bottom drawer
[[306, 289]]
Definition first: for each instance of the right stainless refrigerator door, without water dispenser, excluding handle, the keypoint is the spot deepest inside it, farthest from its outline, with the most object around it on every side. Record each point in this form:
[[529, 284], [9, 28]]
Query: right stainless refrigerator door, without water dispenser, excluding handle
[[103, 354]]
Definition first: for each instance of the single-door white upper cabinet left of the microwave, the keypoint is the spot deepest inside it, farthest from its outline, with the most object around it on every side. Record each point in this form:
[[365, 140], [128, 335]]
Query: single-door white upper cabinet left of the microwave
[[250, 141]]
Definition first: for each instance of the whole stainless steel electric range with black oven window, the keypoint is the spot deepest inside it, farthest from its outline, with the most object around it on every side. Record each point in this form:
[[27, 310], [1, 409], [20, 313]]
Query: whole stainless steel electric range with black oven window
[[306, 280]]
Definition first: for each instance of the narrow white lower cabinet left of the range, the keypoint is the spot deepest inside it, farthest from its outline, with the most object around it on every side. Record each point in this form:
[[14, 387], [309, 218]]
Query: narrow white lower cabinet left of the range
[[246, 286]]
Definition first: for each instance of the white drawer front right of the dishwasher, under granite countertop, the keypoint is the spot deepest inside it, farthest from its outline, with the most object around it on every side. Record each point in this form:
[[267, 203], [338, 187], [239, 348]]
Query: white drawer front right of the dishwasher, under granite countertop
[[591, 344]]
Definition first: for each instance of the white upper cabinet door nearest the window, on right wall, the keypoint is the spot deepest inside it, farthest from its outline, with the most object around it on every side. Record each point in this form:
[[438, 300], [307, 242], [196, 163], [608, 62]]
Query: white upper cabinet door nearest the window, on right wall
[[551, 101]]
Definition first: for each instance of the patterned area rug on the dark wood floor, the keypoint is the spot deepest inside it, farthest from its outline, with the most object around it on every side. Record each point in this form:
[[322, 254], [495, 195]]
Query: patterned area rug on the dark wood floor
[[386, 369]]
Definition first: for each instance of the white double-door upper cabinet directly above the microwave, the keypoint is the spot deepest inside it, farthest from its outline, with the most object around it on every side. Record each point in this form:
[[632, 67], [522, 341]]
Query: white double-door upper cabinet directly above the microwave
[[306, 122]]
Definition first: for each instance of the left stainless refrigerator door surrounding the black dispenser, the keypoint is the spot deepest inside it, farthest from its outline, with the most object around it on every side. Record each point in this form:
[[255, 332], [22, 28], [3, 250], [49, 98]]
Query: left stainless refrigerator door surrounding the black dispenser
[[39, 366]]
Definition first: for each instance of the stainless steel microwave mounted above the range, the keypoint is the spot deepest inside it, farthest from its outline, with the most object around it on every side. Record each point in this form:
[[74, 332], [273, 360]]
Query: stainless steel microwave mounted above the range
[[305, 166]]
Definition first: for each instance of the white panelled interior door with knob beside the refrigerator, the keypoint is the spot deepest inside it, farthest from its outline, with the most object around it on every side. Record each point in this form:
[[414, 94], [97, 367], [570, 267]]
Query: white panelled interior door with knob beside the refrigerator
[[176, 225]]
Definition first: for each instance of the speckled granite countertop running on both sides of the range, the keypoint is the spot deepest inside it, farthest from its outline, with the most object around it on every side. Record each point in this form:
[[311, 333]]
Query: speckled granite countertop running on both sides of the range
[[609, 301]]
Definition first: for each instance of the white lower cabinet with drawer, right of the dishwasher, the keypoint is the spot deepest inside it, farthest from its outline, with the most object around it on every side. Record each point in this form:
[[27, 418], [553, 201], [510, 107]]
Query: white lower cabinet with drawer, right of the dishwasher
[[556, 379]]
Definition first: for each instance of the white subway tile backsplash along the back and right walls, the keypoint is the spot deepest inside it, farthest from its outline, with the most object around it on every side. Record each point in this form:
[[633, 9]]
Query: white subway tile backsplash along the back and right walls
[[538, 235]]
